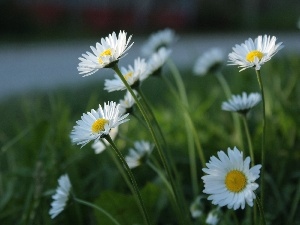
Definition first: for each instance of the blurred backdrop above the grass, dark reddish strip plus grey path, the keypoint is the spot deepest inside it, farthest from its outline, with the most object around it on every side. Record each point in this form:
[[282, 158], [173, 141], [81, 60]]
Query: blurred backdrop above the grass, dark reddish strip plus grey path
[[41, 40]]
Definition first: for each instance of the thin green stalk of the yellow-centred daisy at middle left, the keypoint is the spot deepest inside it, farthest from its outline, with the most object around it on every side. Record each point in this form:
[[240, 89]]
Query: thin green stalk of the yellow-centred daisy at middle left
[[131, 177]]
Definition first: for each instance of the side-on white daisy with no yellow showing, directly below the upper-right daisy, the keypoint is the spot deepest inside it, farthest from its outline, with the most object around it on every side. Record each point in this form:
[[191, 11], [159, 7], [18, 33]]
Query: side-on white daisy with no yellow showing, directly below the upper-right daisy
[[241, 103]]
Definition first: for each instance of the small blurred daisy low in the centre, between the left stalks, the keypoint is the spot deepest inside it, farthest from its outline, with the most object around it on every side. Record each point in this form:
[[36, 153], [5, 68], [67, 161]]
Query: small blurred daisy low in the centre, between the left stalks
[[139, 154]]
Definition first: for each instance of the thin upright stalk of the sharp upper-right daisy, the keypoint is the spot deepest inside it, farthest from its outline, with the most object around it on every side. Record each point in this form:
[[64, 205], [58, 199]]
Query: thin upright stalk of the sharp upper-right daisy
[[263, 135]]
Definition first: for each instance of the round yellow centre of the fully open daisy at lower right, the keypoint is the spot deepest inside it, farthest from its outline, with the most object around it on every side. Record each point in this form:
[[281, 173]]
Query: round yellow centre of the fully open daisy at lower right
[[235, 181]]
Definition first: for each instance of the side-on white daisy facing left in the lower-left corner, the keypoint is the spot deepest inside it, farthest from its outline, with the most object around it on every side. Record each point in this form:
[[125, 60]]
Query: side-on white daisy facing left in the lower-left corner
[[61, 196]]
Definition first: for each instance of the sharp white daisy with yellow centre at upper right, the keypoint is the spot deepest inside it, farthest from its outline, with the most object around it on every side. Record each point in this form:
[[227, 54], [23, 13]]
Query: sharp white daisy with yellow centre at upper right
[[254, 53]]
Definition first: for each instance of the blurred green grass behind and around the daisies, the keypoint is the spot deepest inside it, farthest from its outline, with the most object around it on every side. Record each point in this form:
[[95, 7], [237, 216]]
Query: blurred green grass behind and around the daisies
[[36, 148]]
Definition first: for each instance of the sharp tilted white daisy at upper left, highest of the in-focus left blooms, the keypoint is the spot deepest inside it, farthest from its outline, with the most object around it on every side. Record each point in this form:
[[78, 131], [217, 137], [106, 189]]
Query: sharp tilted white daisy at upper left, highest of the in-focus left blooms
[[105, 53]]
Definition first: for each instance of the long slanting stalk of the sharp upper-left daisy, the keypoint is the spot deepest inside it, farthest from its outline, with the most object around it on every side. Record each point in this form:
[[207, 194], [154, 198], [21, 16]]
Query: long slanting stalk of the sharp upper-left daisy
[[150, 127]]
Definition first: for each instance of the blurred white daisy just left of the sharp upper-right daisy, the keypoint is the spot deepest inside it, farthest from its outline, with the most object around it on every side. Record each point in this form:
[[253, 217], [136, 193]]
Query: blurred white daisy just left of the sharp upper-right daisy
[[210, 61]]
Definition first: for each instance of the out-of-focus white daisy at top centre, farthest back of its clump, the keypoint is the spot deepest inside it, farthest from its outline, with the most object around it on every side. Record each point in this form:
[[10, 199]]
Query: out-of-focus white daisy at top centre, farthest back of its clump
[[162, 38]]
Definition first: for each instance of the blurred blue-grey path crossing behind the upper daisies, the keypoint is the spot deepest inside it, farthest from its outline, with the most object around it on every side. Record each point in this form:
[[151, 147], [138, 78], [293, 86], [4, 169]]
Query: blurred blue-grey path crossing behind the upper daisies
[[26, 67]]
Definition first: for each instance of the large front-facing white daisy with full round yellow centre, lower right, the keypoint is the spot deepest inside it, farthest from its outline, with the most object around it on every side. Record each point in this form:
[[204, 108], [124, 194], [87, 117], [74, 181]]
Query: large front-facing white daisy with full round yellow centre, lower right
[[229, 180]]
